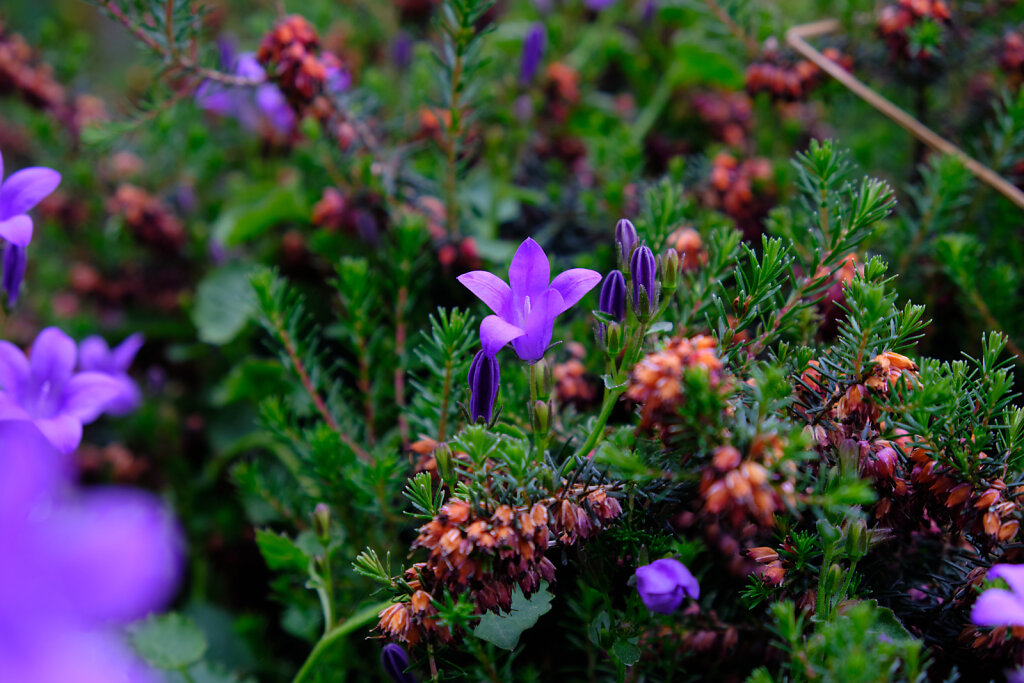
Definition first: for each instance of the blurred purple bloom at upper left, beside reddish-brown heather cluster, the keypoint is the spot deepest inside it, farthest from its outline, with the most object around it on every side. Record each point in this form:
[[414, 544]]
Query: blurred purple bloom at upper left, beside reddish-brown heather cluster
[[253, 108]]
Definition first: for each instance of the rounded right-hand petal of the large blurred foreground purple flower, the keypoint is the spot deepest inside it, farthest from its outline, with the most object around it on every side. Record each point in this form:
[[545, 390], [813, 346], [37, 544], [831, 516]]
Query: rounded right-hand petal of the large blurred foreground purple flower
[[124, 551]]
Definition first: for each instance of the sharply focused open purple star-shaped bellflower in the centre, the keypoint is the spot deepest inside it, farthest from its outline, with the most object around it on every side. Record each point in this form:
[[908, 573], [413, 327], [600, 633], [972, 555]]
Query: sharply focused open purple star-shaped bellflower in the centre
[[526, 309]]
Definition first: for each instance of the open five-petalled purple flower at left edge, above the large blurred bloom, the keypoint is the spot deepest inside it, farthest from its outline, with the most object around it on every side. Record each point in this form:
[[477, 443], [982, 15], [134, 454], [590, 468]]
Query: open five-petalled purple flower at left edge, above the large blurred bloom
[[48, 392]]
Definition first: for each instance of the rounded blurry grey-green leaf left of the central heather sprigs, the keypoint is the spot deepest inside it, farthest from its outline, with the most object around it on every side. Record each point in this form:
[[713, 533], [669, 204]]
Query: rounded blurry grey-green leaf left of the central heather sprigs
[[225, 304]]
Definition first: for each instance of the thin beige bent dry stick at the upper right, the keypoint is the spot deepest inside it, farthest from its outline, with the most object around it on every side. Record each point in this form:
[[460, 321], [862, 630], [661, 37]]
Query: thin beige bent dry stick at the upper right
[[796, 38]]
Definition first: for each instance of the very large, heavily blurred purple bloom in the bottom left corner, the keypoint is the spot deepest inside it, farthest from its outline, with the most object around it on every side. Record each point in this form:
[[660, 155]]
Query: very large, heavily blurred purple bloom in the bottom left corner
[[75, 565]]
